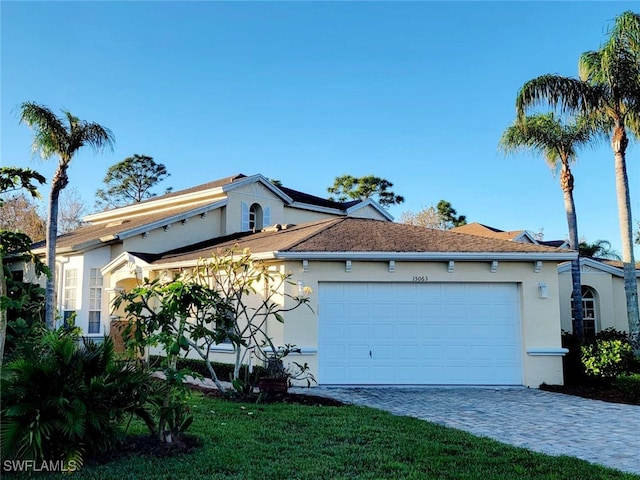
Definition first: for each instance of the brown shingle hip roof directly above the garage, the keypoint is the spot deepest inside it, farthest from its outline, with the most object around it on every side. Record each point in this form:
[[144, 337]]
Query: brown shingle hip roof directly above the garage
[[358, 235]]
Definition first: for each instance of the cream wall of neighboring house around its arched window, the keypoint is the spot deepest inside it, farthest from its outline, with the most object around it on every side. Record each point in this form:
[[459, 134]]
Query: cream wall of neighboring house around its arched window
[[610, 298]]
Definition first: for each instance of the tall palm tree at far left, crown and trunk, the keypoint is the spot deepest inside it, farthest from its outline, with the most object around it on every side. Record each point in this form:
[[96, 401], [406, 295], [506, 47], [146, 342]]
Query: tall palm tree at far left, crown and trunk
[[62, 138]]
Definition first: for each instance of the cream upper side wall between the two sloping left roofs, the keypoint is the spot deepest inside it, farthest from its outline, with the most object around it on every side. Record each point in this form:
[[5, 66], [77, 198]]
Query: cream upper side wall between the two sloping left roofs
[[195, 229]]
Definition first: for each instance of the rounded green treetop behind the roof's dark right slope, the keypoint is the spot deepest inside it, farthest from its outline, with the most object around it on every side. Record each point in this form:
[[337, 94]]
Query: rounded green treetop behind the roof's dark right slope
[[348, 187]]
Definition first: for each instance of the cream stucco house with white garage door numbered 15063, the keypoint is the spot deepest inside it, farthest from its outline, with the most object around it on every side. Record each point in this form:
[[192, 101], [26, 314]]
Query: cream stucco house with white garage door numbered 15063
[[392, 303]]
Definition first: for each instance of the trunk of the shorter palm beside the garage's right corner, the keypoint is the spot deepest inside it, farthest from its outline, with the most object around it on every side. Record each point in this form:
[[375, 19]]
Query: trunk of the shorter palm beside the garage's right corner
[[566, 182]]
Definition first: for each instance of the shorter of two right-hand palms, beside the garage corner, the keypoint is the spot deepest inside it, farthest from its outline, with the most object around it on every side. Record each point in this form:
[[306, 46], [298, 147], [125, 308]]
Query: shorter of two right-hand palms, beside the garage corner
[[557, 142]]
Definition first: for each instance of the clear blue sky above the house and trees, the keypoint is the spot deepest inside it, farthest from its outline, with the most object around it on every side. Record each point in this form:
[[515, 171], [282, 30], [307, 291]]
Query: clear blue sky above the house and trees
[[416, 92]]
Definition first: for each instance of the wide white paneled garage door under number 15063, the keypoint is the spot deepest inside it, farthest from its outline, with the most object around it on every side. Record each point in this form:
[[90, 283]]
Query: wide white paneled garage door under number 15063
[[419, 333]]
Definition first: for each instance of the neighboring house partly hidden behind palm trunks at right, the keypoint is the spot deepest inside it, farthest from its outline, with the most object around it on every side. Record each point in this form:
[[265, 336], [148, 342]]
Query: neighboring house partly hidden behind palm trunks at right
[[603, 298]]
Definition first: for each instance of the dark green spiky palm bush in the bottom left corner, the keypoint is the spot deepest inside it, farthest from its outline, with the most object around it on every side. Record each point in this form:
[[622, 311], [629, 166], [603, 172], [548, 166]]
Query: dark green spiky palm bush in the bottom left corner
[[66, 400]]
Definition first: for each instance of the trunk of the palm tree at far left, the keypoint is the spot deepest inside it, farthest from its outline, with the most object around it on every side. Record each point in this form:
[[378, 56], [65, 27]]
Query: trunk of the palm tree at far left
[[60, 180]]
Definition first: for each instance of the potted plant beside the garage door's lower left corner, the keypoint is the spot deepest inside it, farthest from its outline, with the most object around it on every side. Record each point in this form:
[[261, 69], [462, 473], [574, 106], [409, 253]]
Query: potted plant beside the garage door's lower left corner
[[279, 378]]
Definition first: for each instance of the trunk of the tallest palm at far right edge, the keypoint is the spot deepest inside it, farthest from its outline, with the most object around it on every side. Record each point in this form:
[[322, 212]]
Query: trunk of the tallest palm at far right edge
[[619, 143]]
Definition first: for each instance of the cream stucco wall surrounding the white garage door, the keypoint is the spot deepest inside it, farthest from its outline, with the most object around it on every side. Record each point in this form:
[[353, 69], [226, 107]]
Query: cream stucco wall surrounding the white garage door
[[539, 316]]
